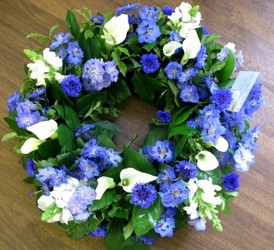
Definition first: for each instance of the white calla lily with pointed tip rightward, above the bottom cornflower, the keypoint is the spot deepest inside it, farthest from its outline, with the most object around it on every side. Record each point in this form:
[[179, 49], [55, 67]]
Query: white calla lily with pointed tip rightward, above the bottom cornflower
[[130, 176]]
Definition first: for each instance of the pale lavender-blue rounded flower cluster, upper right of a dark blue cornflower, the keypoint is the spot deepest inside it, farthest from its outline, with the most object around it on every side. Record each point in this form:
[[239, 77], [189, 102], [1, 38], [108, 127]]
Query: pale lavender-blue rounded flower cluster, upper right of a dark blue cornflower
[[98, 74]]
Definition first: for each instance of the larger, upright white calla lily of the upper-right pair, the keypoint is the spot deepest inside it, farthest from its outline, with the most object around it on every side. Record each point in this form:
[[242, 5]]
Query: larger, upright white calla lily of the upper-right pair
[[191, 45]]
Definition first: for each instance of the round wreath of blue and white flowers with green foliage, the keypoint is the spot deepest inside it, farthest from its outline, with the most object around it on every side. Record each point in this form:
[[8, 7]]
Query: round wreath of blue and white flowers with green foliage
[[186, 170]]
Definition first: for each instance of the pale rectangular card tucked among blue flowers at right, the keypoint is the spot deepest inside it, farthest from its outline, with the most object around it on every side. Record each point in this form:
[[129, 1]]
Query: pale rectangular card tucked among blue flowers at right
[[242, 86]]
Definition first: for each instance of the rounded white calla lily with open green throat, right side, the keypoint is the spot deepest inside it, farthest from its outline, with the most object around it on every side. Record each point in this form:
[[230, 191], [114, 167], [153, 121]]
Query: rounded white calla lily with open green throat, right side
[[206, 161]]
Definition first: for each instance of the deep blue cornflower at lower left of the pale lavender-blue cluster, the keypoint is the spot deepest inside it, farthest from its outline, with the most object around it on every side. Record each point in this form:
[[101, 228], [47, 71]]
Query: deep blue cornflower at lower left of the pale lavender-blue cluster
[[71, 86]]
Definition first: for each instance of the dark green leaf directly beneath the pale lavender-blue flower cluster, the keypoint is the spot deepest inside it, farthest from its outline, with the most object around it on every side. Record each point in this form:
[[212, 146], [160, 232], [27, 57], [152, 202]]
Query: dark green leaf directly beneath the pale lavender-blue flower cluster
[[84, 103]]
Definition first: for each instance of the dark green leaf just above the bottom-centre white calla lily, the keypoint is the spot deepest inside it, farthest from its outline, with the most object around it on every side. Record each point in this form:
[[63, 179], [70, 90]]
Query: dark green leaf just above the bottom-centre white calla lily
[[133, 159]]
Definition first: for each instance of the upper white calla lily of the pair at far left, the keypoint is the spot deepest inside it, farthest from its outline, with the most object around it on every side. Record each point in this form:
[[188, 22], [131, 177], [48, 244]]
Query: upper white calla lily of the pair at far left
[[44, 129]]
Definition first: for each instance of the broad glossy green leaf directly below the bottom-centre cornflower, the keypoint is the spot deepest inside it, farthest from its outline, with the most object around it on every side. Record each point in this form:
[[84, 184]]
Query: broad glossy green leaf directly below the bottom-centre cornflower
[[143, 220]]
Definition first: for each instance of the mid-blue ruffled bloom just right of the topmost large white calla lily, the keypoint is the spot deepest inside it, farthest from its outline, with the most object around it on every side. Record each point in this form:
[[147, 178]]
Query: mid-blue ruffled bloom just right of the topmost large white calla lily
[[148, 31]]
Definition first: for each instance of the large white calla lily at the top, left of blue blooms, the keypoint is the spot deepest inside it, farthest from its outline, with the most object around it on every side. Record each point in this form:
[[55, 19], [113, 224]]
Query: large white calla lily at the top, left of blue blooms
[[115, 30]]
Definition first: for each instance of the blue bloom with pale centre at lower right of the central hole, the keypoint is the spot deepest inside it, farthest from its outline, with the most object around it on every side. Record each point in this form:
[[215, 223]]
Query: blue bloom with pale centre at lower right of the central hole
[[162, 152]]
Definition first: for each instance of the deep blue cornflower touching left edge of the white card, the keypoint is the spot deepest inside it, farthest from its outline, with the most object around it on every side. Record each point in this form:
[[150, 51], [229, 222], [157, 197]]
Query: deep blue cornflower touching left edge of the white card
[[222, 98]]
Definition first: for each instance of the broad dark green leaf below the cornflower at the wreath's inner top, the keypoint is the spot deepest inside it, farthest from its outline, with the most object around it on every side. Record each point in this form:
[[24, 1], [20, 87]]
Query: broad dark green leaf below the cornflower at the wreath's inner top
[[146, 86]]
